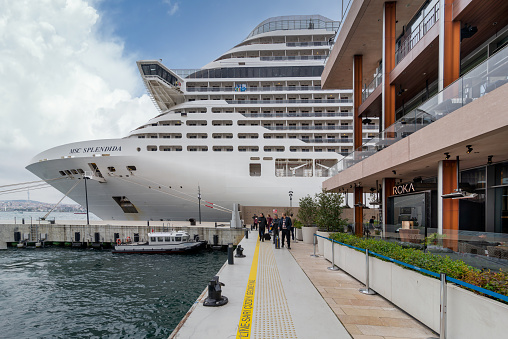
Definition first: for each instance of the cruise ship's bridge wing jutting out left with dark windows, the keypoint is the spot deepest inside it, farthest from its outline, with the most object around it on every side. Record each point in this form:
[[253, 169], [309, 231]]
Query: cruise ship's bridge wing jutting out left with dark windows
[[163, 85]]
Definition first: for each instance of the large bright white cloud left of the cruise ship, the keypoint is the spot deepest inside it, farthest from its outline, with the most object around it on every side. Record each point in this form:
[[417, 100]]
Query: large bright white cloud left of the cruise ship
[[61, 81]]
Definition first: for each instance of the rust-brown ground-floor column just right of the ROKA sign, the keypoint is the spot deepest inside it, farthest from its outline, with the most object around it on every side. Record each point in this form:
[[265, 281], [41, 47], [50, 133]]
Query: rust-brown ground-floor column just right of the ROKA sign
[[448, 216]]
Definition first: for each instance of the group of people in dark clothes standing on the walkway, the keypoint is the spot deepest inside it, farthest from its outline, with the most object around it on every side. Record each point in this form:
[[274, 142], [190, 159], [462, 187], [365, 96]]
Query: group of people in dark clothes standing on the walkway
[[279, 228]]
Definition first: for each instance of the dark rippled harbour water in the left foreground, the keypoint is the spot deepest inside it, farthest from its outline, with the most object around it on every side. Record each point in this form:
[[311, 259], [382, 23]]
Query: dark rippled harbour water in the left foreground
[[69, 293]]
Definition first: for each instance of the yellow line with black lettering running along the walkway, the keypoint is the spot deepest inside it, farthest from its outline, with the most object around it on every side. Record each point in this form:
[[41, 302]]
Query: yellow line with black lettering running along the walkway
[[245, 324]]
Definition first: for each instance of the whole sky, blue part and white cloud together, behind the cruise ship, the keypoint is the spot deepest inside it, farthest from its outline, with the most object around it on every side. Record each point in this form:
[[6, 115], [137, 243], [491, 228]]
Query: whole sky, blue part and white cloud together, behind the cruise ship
[[68, 67]]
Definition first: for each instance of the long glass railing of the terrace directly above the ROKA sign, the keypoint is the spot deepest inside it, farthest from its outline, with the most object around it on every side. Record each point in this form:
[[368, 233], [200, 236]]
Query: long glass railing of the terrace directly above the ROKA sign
[[487, 76]]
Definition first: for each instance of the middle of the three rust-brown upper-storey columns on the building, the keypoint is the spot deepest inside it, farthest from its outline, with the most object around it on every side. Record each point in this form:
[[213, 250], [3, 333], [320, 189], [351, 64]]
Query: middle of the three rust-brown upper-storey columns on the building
[[389, 38]]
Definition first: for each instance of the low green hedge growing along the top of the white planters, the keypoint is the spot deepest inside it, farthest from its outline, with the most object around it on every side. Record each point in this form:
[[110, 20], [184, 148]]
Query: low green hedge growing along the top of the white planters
[[493, 281]]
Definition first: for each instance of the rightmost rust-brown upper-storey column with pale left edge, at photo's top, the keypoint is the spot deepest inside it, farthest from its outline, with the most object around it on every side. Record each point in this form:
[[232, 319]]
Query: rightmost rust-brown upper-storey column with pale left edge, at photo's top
[[449, 45]]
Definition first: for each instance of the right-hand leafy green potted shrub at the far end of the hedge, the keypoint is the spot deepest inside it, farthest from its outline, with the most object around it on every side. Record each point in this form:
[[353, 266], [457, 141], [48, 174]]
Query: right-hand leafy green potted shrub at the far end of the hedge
[[329, 211]]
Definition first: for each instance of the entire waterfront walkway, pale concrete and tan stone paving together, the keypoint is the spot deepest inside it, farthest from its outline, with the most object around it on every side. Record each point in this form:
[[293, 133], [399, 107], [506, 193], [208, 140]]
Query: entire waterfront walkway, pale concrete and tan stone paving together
[[281, 293]]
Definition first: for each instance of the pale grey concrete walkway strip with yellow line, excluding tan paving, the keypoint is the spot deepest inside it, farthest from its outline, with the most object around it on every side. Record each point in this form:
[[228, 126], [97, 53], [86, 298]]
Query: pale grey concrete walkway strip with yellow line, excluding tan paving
[[269, 295]]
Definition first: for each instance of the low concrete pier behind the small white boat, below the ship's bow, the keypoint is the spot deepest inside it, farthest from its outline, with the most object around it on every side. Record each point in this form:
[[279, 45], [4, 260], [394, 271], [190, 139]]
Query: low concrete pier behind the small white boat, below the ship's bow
[[98, 232]]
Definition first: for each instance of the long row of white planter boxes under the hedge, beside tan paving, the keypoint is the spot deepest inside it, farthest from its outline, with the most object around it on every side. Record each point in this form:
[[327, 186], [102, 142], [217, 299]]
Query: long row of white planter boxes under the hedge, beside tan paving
[[469, 315]]
